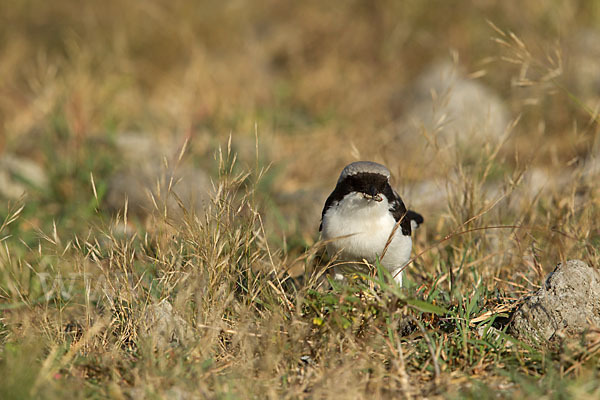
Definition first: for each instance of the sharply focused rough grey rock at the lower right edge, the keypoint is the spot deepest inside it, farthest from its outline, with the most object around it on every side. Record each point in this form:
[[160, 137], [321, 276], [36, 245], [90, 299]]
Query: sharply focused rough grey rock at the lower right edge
[[567, 304]]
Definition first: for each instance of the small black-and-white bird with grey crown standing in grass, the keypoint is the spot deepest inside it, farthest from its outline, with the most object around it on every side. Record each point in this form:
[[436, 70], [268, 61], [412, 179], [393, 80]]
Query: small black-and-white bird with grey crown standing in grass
[[359, 217]]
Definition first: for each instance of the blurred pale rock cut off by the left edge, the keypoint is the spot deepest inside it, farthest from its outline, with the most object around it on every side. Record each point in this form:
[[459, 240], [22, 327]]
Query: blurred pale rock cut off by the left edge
[[19, 175]]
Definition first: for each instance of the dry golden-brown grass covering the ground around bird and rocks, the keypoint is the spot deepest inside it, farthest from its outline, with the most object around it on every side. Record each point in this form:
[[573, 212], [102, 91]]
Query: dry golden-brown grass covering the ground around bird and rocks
[[98, 305]]
